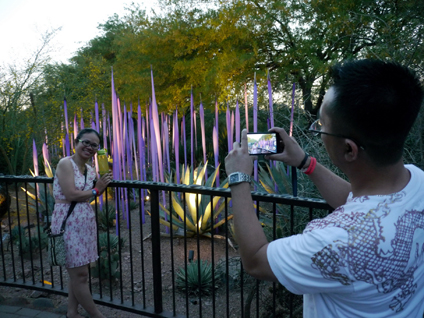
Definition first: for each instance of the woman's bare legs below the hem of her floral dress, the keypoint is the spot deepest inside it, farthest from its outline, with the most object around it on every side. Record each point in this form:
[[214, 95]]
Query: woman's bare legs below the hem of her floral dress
[[78, 278]]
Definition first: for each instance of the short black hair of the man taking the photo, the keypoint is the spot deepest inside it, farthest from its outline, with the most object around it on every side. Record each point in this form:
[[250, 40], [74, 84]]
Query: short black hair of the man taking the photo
[[376, 102]]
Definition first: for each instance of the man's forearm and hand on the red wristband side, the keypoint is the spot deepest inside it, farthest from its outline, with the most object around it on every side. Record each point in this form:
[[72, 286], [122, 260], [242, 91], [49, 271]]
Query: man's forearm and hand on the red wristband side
[[333, 189]]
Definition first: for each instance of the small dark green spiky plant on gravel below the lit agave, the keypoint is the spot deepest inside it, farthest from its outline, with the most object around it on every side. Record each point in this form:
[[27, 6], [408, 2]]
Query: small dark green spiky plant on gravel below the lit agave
[[196, 278]]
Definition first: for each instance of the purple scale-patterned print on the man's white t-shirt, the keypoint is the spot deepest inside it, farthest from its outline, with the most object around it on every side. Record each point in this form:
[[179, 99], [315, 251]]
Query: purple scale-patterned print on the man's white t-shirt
[[361, 256]]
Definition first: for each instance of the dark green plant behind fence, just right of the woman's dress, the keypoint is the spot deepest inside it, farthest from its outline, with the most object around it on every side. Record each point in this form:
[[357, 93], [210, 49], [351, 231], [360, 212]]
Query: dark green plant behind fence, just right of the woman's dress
[[107, 266]]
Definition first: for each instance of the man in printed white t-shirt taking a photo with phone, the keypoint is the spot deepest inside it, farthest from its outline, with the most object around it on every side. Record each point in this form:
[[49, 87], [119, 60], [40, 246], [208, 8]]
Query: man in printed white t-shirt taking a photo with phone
[[366, 259]]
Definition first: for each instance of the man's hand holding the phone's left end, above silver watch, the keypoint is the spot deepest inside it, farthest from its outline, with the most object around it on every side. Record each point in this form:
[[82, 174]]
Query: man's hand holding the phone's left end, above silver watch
[[239, 160]]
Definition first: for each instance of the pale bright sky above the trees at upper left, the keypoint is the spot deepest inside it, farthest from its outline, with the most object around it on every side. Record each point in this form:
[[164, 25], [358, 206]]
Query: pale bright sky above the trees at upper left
[[22, 22]]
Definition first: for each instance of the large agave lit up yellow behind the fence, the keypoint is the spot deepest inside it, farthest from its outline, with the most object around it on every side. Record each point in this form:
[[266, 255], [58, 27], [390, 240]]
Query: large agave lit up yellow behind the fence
[[202, 212]]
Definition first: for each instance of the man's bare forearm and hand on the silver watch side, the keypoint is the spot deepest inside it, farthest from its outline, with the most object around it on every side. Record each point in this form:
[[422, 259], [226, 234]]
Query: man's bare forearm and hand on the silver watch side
[[248, 231]]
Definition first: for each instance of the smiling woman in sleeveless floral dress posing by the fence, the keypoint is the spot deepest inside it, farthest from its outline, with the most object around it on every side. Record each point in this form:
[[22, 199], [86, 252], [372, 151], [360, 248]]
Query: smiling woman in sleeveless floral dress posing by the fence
[[74, 182]]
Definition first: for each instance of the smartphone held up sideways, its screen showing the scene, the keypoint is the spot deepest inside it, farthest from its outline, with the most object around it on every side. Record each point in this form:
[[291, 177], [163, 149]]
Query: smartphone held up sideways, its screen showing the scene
[[263, 143]]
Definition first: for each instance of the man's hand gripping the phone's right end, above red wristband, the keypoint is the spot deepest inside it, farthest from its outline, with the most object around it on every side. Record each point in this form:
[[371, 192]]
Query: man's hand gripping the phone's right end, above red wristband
[[292, 154]]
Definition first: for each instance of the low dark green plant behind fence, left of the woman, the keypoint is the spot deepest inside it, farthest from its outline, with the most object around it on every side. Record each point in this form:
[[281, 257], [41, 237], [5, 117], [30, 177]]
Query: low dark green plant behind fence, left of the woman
[[28, 242]]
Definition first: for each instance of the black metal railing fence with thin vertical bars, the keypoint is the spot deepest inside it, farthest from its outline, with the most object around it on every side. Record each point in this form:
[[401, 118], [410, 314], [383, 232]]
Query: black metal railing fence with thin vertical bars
[[146, 267]]
